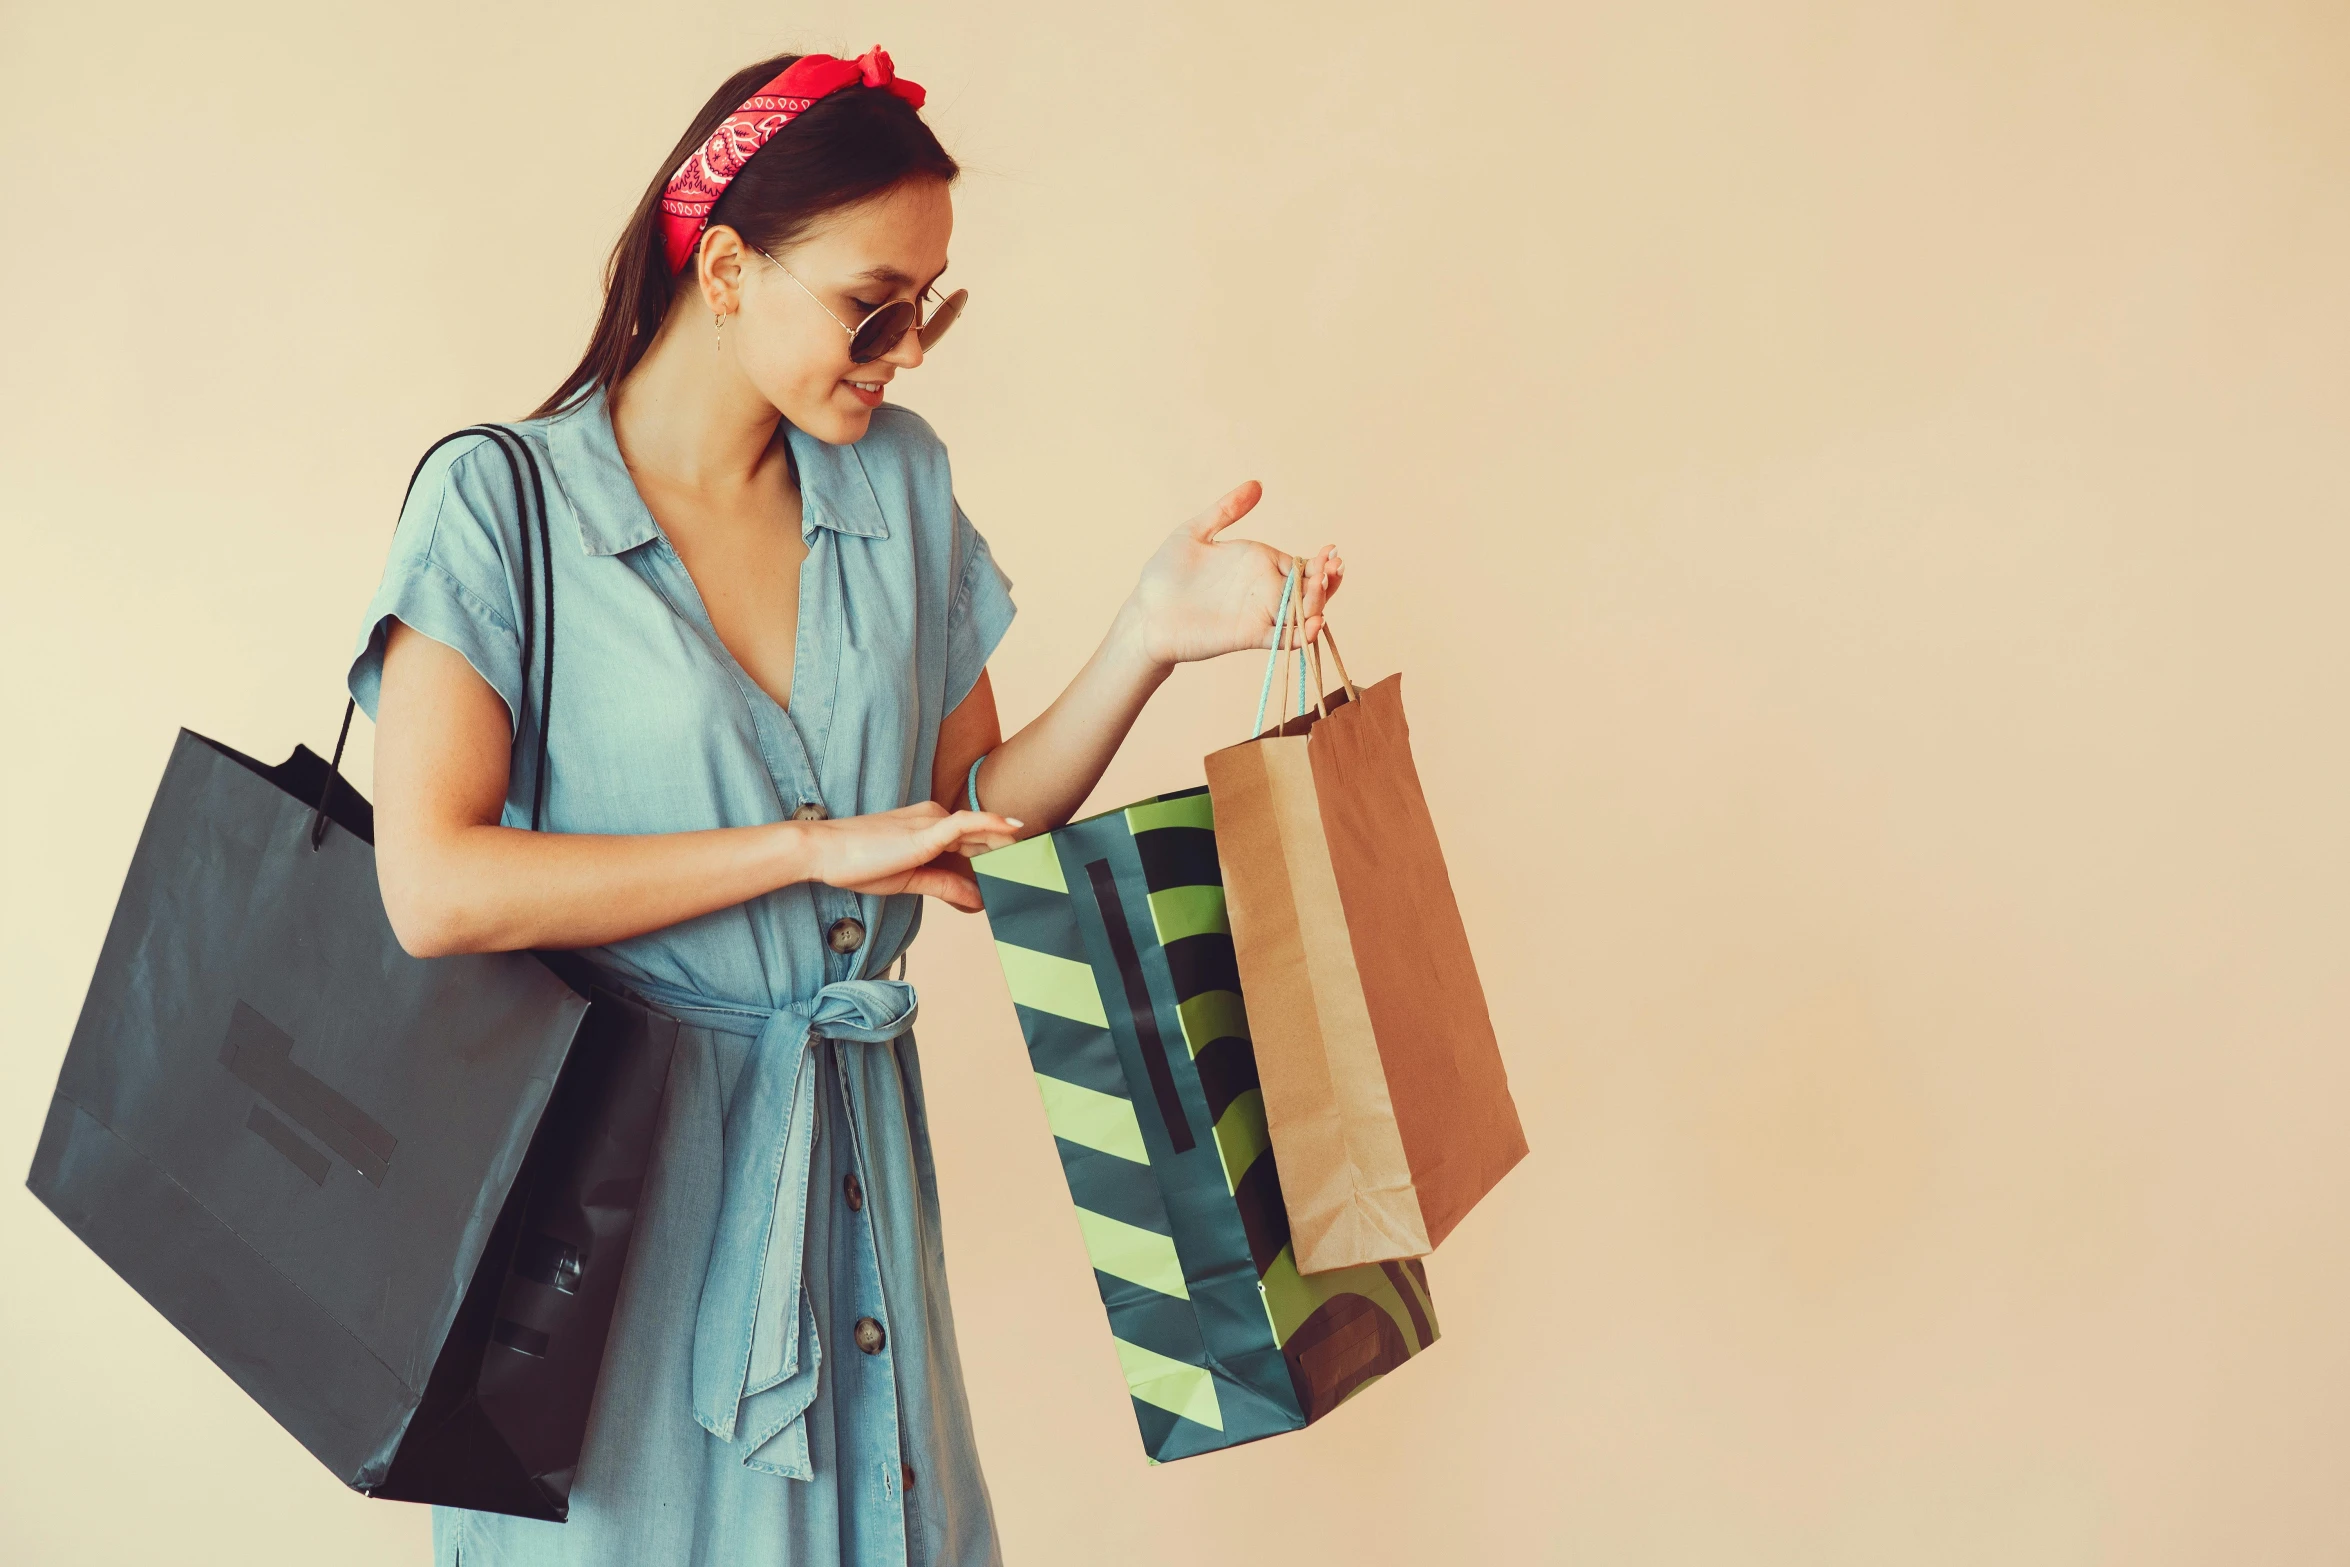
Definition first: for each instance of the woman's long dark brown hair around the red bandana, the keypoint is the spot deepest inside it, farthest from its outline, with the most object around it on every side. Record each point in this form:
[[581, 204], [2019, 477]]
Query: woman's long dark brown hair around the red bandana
[[845, 149]]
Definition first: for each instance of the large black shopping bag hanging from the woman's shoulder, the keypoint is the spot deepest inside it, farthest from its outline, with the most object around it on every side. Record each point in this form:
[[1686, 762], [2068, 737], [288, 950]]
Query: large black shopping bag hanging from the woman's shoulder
[[389, 1197]]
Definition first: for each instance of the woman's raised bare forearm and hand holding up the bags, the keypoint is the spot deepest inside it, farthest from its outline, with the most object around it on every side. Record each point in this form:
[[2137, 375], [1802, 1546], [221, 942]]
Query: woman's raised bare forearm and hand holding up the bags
[[1197, 598]]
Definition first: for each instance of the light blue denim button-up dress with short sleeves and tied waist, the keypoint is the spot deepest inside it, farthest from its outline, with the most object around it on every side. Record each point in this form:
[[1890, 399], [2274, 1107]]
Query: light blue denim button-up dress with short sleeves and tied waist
[[781, 1387]]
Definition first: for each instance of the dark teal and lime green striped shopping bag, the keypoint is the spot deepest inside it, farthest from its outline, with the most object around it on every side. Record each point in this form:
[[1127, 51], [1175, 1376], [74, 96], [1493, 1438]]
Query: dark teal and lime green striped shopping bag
[[1120, 964]]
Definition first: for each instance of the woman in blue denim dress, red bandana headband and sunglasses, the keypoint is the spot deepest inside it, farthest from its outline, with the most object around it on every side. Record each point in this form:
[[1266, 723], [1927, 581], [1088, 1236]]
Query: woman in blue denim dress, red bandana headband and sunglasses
[[770, 741]]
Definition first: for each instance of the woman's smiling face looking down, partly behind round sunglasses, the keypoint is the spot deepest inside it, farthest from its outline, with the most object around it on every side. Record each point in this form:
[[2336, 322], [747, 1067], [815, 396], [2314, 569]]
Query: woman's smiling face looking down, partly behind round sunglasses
[[795, 349]]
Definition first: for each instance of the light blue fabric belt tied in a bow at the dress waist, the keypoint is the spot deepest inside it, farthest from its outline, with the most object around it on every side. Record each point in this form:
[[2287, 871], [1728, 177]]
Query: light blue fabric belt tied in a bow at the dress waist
[[756, 1350]]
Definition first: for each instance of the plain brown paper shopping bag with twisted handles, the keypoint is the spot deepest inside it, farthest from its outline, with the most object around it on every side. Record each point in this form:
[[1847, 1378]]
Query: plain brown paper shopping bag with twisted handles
[[1383, 1082]]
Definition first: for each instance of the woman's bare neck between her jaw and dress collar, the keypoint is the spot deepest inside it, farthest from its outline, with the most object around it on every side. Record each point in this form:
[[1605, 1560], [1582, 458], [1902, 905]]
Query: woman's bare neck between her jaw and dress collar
[[690, 419]]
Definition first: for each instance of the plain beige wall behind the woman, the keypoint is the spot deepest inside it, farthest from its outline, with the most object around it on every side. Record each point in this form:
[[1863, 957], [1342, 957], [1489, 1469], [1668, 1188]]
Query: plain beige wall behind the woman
[[1860, 492]]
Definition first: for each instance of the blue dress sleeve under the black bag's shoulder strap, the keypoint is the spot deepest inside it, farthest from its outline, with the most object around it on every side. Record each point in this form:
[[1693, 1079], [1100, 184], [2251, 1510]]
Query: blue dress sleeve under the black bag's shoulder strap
[[448, 577]]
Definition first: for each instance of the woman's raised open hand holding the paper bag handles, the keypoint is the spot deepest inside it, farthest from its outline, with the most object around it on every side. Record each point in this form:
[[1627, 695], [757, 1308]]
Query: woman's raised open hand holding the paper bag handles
[[1207, 596]]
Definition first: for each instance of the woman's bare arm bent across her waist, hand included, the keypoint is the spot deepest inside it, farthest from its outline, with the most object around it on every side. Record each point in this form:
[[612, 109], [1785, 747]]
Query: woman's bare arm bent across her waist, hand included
[[457, 882]]
